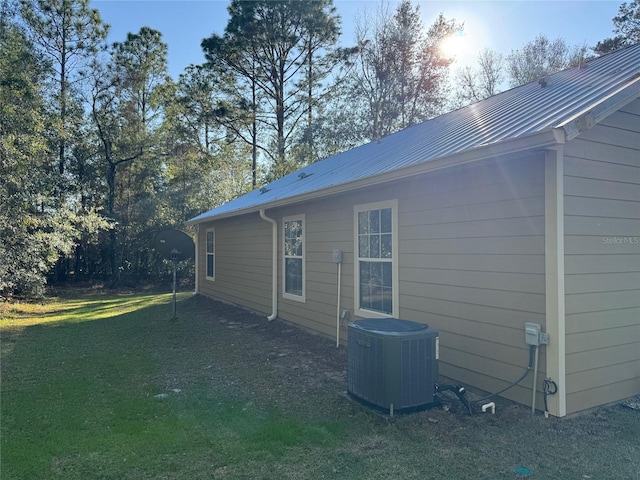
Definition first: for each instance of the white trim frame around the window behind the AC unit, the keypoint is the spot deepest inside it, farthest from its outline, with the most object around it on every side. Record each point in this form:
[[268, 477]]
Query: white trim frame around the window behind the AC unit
[[361, 312]]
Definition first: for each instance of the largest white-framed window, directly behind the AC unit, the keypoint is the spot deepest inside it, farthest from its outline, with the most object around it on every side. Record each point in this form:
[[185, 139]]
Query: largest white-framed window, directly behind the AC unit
[[376, 268]]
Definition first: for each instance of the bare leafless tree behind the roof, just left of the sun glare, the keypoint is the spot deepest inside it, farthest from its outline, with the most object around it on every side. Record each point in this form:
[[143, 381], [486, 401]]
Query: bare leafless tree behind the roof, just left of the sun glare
[[400, 74]]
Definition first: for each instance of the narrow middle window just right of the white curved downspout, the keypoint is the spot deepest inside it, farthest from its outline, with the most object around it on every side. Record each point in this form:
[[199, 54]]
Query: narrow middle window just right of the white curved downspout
[[293, 257]]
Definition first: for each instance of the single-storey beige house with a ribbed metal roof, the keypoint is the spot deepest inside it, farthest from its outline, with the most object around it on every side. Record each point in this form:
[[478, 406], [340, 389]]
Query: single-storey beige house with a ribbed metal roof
[[524, 207]]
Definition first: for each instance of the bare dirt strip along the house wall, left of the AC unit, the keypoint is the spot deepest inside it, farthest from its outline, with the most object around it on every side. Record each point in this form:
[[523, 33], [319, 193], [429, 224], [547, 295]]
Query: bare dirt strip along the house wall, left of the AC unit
[[276, 362]]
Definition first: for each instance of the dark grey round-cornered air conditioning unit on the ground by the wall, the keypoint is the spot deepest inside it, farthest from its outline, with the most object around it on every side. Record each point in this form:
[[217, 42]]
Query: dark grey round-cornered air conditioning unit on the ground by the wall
[[392, 363]]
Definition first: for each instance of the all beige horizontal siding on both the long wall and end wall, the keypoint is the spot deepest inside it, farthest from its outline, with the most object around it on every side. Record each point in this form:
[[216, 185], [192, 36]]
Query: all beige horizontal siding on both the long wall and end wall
[[471, 242]]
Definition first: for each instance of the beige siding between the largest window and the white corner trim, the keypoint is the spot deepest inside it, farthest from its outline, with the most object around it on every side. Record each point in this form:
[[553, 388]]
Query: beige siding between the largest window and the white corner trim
[[472, 266]]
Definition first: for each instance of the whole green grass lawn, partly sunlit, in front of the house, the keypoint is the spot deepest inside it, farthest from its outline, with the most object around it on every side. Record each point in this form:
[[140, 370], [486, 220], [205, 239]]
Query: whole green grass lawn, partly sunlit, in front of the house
[[110, 387]]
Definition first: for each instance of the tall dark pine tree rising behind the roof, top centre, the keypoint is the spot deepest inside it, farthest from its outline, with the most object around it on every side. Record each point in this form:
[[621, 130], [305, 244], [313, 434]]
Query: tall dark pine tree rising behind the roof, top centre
[[279, 52]]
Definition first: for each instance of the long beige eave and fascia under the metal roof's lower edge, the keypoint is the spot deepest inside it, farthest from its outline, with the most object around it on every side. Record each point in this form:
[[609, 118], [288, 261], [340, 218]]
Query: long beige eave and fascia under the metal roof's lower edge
[[539, 140]]
